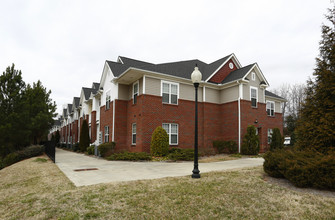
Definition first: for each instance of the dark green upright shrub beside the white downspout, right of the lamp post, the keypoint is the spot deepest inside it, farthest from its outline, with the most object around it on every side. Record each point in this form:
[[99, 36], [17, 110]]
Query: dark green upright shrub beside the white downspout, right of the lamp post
[[250, 145]]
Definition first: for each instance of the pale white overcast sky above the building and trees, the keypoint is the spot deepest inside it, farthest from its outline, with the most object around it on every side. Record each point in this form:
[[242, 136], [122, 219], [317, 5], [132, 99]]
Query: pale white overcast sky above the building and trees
[[65, 43]]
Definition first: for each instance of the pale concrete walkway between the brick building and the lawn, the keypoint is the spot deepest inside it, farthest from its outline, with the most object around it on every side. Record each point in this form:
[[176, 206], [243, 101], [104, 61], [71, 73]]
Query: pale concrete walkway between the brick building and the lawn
[[103, 171]]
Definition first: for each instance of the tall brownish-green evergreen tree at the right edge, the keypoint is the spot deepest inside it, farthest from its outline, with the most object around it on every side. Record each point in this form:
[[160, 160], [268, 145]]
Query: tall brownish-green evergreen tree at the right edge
[[316, 126]]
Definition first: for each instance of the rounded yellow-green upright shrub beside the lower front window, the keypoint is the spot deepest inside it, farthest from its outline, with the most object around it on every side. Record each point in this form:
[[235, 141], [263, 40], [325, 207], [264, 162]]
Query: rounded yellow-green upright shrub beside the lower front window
[[159, 145]]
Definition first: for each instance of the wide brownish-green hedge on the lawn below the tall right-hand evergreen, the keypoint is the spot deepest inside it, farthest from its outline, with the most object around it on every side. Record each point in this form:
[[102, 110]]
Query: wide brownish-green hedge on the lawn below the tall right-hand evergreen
[[303, 168]]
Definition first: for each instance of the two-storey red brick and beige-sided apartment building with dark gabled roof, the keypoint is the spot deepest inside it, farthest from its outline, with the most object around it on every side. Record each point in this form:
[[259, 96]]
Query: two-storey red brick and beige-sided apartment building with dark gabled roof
[[134, 97]]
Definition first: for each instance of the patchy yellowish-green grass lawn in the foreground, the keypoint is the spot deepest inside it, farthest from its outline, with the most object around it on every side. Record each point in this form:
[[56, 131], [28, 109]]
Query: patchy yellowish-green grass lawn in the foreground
[[37, 189]]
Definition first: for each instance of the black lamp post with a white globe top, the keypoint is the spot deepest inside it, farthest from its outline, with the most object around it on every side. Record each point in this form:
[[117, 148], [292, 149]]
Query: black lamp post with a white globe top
[[196, 79]]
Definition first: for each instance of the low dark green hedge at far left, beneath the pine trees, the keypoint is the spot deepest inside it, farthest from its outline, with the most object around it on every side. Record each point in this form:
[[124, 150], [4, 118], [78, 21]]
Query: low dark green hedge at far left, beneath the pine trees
[[28, 152]]
